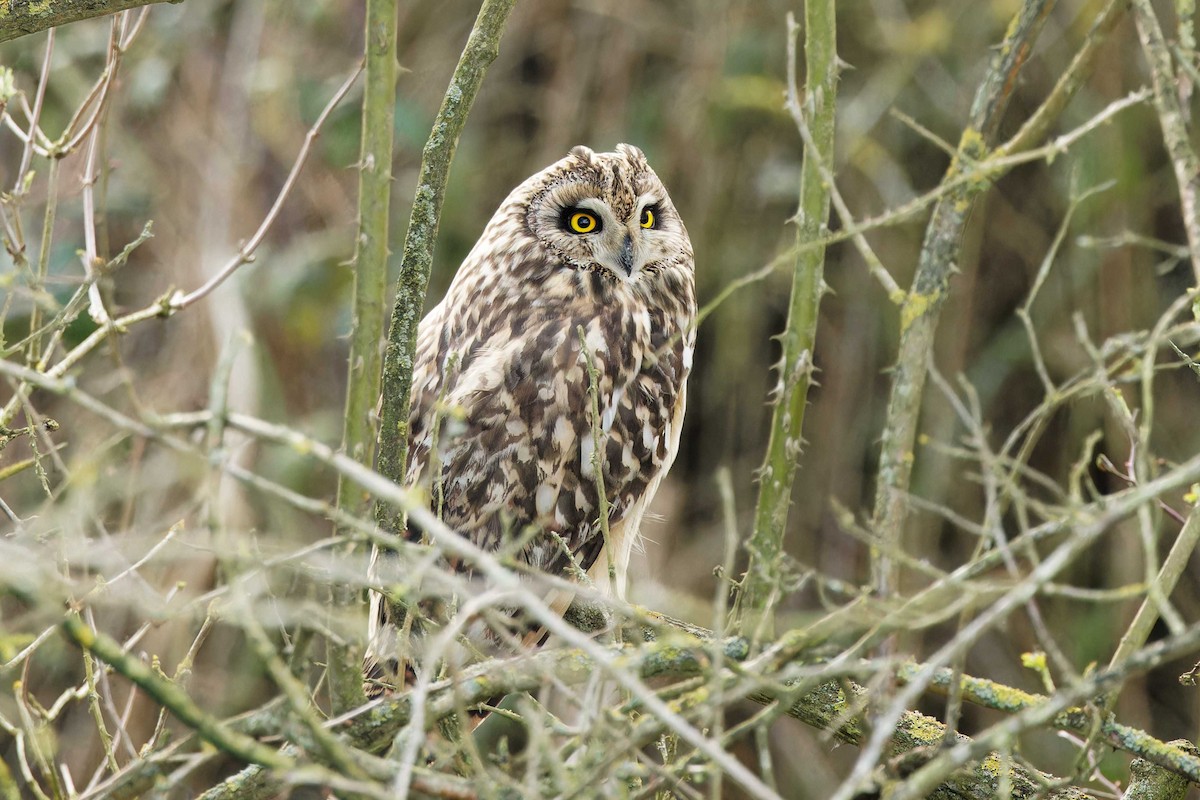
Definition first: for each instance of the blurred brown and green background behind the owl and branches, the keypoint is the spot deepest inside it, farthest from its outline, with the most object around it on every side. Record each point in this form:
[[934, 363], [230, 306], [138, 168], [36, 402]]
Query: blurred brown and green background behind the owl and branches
[[213, 105]]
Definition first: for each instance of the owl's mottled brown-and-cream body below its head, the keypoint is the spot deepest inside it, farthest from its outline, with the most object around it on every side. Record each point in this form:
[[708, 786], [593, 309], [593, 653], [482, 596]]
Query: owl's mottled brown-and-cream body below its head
[[502, 435]]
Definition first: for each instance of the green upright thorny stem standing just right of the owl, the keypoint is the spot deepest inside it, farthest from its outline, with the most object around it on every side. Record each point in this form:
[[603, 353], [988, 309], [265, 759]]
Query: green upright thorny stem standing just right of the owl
[[818, 113]]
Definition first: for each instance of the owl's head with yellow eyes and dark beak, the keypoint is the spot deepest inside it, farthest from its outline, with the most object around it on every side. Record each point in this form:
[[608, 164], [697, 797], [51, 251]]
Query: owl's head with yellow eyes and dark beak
[[609, 213]]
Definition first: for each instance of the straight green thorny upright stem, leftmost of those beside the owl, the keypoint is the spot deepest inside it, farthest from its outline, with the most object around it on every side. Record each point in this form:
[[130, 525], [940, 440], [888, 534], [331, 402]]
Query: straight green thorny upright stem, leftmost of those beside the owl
[[370, 267]]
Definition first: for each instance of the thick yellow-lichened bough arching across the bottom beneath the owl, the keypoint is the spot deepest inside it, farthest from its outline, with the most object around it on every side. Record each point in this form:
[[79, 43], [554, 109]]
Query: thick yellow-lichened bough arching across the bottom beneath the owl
[[969, 769]]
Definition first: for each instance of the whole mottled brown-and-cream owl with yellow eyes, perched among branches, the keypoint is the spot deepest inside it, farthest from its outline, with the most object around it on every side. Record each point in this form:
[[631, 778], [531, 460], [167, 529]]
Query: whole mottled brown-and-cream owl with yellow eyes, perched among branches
[[583, 279]]
